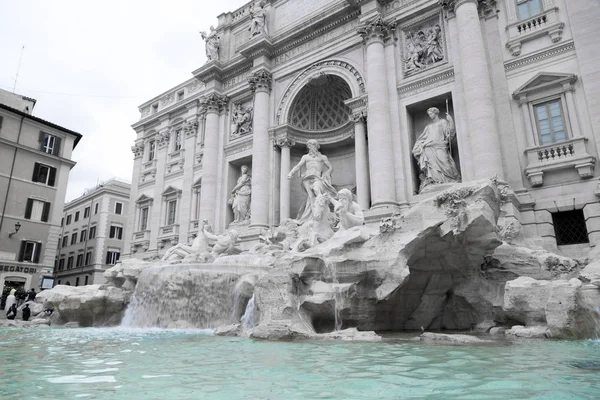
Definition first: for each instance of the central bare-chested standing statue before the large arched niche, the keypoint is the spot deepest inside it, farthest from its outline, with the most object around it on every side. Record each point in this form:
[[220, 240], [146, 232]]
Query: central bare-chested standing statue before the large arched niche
[[316, 179]]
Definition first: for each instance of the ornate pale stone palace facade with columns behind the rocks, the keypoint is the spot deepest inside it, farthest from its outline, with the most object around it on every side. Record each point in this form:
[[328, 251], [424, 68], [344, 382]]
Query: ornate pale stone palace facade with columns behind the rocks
[[516, 85]]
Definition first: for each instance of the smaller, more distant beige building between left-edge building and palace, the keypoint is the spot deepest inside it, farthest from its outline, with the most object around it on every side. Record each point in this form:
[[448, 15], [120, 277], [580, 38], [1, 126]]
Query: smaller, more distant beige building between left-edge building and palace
[[93, 233]]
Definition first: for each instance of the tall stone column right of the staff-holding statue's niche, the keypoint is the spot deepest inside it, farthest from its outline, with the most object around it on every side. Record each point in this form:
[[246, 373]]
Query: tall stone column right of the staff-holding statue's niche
[[477, 87]]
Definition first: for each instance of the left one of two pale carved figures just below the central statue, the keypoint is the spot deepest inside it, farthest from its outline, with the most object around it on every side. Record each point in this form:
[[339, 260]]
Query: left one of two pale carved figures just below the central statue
[[318, 229]]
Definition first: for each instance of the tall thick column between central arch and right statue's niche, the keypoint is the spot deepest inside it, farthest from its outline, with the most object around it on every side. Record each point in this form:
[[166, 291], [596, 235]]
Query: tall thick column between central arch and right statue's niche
[[381, 158]]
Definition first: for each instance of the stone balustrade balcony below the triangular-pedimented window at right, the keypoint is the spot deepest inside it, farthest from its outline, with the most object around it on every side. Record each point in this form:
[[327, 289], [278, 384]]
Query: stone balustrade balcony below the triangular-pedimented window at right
[[570, 153]]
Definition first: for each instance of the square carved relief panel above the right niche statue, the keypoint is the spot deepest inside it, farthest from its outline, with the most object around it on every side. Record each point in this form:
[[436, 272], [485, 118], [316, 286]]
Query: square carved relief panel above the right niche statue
[[423, 47]]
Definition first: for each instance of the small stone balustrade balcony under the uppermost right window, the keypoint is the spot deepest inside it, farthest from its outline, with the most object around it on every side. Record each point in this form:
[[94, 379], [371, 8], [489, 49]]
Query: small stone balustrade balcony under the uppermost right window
[[546, 23]]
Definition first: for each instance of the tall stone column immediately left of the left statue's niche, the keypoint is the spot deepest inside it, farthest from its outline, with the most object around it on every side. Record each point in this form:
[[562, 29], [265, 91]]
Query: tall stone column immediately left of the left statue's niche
[[213, 104]]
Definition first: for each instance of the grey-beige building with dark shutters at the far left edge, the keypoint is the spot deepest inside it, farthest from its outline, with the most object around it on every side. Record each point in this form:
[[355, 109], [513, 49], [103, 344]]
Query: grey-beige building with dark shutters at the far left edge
[[35, 161]]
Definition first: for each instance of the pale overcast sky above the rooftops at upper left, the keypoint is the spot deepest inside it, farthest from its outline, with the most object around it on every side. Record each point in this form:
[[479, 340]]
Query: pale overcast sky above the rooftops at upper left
[[90, 64]]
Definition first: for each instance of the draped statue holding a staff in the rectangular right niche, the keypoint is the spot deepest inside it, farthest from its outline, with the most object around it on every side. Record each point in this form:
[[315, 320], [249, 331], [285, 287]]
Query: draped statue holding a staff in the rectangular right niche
[[432, 151]]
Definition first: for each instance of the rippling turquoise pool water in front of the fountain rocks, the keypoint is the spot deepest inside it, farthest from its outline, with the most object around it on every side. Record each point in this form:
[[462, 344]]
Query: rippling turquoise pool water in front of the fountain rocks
[[98, 363]]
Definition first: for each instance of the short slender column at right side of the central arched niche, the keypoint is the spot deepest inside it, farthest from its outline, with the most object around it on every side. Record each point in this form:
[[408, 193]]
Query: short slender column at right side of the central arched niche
[[361, 160]]
